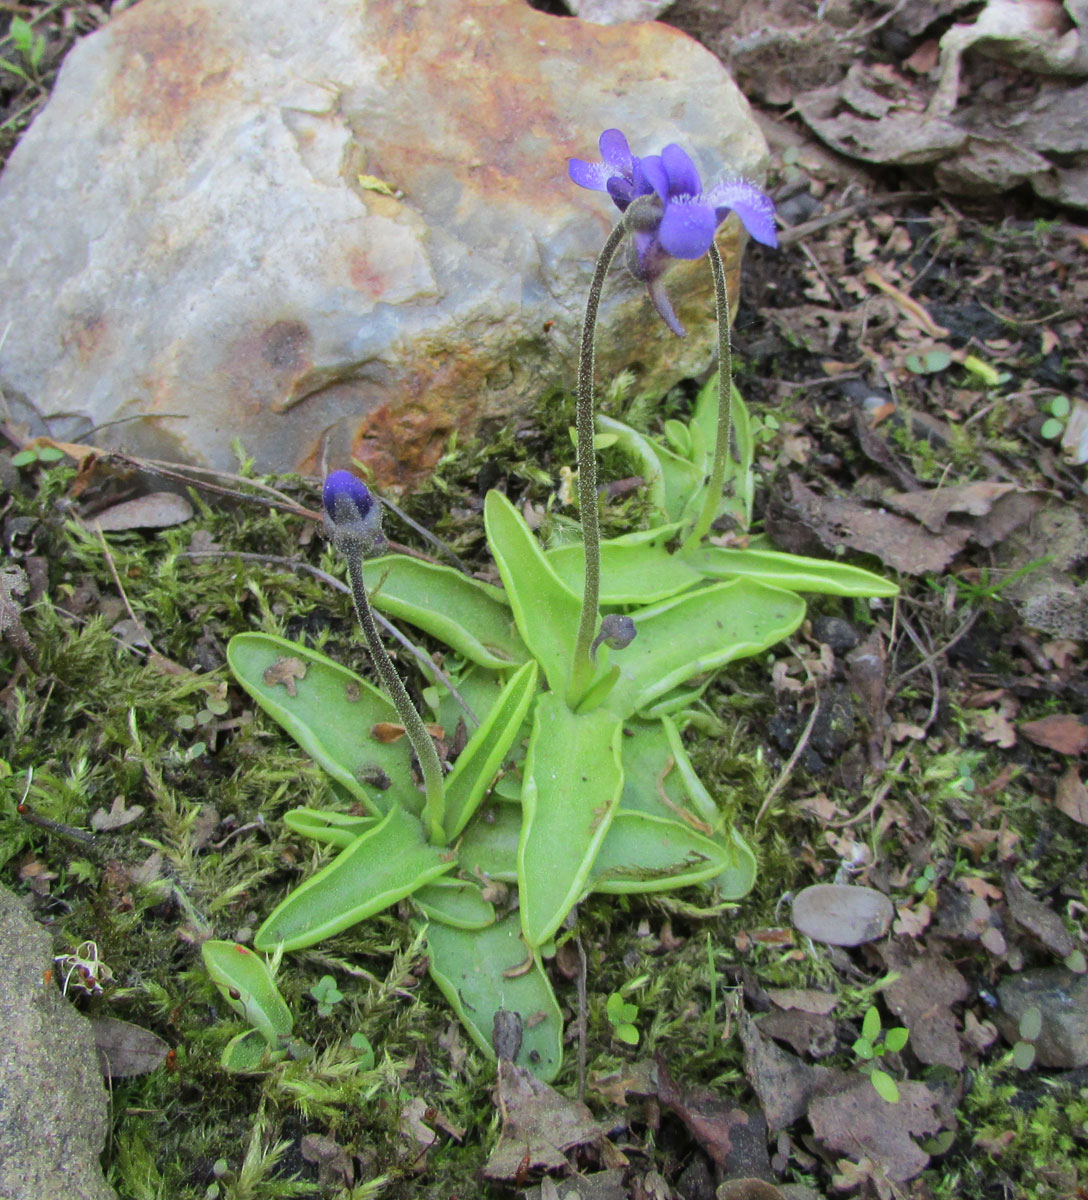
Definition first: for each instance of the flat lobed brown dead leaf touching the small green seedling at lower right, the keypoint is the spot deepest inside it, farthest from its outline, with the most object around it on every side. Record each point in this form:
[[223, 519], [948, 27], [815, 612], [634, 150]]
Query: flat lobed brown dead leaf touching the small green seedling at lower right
[[858, 1124]]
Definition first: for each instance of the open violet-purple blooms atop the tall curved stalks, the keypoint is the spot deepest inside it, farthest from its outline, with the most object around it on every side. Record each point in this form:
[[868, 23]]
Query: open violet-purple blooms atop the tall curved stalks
[[689, 217]]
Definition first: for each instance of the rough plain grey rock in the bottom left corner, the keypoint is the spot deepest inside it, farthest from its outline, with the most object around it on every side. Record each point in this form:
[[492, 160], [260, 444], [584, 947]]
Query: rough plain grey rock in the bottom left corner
[[53, 1105]]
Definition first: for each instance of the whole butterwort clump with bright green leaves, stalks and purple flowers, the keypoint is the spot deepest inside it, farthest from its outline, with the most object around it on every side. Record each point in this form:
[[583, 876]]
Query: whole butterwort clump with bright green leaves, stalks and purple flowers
[[568, 692]]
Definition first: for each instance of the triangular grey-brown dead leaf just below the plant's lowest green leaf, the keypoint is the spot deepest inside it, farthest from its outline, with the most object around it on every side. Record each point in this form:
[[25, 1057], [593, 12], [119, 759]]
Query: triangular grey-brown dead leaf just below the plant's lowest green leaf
[[538, 1124]]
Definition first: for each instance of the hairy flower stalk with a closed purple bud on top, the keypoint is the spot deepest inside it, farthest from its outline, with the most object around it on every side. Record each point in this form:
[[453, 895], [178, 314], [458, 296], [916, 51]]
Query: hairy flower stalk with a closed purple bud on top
[[353, 519]]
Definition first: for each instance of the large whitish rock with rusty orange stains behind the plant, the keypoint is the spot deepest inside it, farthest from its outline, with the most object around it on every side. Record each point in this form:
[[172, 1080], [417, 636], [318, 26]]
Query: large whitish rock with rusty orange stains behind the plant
[[189, 244]]
